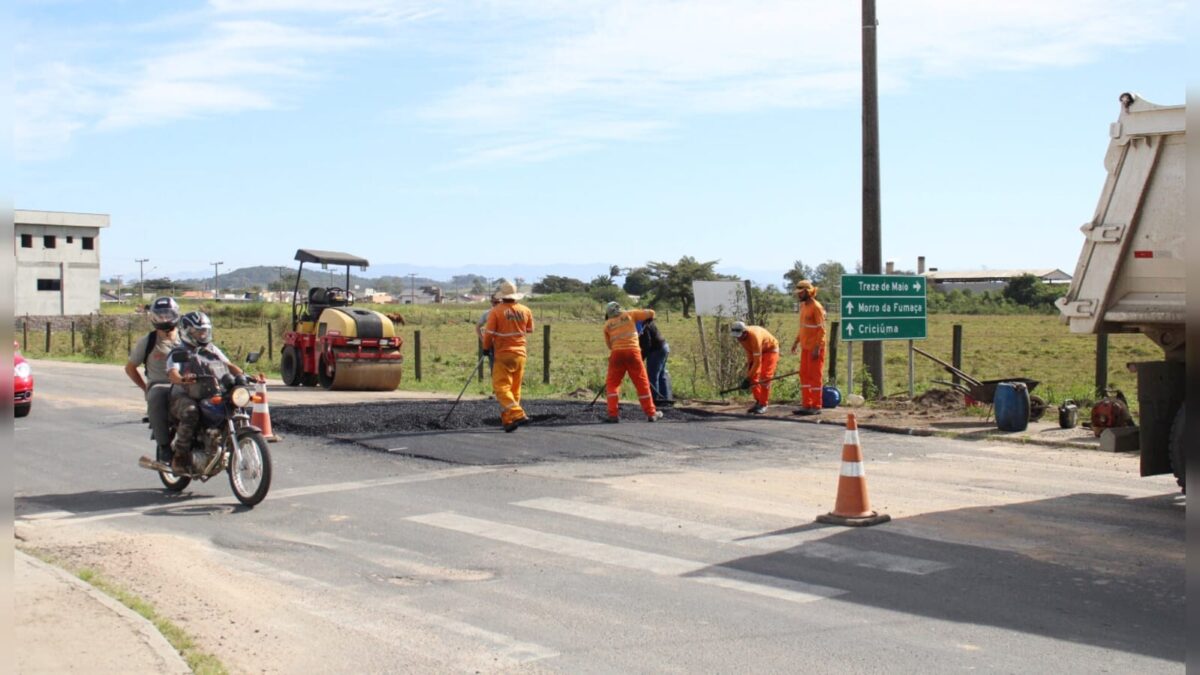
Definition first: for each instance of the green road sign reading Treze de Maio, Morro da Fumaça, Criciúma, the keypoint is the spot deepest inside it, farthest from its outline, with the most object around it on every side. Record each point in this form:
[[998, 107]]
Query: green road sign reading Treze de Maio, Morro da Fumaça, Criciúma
[[883, 307]]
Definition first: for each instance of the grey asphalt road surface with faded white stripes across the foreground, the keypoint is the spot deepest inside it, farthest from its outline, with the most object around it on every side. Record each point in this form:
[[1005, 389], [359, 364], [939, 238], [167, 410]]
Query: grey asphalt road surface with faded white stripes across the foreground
[[683, 546]]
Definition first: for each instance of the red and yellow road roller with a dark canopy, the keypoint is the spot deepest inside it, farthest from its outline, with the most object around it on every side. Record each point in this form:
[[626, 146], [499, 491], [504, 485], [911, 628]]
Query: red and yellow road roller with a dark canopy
[[335, 344]]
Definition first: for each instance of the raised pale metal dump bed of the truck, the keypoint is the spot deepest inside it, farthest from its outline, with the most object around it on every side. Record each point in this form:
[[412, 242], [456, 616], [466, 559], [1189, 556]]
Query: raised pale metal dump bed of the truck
[[1131, 272]]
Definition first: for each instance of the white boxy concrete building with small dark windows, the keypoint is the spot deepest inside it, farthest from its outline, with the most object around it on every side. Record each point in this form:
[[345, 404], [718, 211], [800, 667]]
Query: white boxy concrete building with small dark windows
[[58, 262]]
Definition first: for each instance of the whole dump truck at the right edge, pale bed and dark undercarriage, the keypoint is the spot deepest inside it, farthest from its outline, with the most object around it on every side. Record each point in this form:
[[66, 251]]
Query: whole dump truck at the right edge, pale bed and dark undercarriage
[[1131, 276]]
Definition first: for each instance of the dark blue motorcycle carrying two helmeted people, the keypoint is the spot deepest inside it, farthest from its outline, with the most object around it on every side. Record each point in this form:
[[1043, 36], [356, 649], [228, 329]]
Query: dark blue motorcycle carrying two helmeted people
[[225, 441]]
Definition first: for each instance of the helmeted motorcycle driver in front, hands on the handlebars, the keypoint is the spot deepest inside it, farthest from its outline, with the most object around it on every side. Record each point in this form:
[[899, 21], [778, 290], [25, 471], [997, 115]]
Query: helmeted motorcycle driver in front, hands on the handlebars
[[197, 356]]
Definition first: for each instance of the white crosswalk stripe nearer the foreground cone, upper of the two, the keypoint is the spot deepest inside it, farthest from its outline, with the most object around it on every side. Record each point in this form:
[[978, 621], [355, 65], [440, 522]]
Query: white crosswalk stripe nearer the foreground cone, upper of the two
[[802, 543]]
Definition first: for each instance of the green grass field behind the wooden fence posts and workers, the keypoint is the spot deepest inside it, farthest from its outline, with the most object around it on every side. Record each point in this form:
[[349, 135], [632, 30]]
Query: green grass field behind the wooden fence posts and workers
[[1034, 347]]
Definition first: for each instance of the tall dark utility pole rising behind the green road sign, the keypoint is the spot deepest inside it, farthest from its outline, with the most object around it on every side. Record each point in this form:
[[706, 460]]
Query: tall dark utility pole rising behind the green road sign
[[873, 256]]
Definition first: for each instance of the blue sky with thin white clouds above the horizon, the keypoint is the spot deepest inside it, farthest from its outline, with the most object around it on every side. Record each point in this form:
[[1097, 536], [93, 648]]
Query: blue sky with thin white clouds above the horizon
[[431, 135]]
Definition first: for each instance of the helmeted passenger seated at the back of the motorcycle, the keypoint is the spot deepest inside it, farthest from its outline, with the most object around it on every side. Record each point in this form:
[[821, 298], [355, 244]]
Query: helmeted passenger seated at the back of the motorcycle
[[151, 353]]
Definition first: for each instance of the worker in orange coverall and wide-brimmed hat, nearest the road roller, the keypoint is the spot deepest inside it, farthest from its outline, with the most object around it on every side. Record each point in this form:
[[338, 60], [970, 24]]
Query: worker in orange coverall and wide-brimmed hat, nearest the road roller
[[506, 331]]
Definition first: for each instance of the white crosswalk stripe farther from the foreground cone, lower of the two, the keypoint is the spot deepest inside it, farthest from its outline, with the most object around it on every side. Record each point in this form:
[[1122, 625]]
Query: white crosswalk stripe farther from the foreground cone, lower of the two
[[631, 559]]
